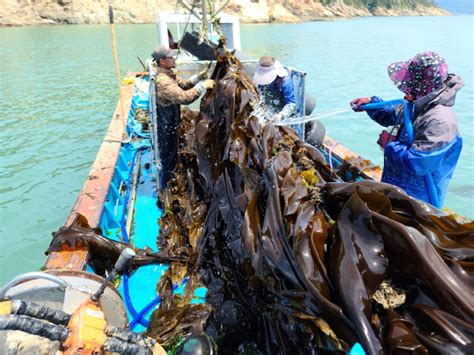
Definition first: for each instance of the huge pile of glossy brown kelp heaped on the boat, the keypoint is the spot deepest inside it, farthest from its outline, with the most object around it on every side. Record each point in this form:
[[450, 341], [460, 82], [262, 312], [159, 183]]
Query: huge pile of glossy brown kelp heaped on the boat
[[294, 259]]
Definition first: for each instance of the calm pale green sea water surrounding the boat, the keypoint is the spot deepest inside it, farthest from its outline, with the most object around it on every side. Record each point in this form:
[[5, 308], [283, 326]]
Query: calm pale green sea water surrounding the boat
[[58, 92]]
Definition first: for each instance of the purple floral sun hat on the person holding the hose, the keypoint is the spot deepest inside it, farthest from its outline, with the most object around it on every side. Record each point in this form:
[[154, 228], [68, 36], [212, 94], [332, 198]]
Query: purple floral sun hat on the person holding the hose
[[420, 75]]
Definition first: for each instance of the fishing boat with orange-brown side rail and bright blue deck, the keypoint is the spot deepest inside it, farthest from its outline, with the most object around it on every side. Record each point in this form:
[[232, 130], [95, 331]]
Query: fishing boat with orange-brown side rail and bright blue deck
[[98, 286]]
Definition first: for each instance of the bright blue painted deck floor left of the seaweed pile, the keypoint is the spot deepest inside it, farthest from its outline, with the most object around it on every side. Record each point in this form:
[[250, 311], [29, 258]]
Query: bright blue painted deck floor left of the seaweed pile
[[132, 194]]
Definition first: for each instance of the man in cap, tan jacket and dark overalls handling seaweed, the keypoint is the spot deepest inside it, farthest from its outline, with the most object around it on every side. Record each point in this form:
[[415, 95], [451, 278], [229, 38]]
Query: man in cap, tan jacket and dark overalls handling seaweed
[[171, 92]]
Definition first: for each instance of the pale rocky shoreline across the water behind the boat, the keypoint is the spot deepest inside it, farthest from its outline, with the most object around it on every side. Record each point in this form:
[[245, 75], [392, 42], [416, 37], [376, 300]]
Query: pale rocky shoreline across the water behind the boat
[[45, 13]]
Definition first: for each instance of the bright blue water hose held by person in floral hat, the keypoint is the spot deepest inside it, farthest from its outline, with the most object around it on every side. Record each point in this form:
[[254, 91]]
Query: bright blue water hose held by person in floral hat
[[407, 116]]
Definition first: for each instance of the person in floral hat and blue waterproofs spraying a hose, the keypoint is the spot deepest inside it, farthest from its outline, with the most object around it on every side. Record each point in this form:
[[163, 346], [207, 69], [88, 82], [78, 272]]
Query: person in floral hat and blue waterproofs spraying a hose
[[437, 143]]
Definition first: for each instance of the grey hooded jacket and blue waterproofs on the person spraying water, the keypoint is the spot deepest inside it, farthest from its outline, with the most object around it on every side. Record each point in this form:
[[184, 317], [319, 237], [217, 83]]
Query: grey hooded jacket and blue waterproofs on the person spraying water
[[436, 147]]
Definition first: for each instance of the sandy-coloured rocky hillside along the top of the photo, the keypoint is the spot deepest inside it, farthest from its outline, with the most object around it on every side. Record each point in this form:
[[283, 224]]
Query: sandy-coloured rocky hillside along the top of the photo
[[40, 12]]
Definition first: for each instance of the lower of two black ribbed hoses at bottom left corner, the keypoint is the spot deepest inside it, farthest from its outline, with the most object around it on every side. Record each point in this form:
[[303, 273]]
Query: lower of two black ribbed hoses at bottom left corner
[[34, 326]]
